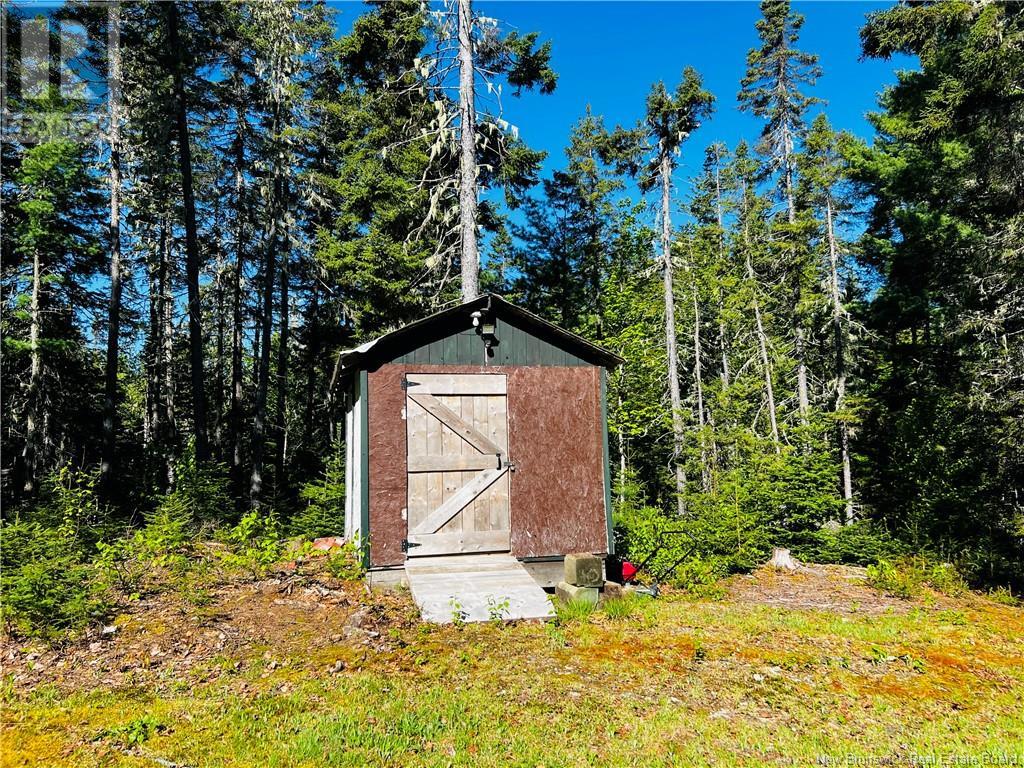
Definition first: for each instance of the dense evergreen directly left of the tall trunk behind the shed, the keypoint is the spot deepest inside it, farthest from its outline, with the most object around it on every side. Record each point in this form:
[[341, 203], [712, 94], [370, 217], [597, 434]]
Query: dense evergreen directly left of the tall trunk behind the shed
[[368, 174]]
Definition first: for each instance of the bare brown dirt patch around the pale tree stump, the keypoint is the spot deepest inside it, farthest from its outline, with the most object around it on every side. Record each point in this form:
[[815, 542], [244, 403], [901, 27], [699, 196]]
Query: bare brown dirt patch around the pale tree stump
[[841, 589]]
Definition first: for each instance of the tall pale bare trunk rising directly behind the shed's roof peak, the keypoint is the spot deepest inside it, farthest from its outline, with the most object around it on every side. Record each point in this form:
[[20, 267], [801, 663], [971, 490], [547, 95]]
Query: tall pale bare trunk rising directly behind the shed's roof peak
[[470, 259]]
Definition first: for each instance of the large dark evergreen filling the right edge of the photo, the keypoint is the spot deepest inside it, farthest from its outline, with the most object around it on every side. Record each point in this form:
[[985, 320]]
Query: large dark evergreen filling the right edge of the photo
[[945, 436]]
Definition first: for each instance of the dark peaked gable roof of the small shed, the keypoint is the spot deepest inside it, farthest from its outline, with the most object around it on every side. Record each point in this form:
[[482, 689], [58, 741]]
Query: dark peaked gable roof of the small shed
[[456, 320]]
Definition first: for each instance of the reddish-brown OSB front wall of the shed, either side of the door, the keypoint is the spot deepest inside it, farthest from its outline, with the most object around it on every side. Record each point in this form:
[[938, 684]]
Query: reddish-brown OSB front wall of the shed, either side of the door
[[554, 439]]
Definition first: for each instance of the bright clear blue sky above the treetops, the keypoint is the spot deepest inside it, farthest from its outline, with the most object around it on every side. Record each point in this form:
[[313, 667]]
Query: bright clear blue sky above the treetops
[[608, 55]]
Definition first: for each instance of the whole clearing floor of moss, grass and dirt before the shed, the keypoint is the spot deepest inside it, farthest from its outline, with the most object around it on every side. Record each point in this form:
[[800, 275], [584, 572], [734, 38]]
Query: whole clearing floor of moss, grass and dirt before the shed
[[290, 675]]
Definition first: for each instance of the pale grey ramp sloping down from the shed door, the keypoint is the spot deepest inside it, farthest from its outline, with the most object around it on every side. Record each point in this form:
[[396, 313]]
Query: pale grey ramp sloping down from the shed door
[[476, 587]]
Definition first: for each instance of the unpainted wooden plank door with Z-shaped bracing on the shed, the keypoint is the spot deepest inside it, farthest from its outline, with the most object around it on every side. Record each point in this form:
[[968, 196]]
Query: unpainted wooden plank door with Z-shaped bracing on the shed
[[457, 428]]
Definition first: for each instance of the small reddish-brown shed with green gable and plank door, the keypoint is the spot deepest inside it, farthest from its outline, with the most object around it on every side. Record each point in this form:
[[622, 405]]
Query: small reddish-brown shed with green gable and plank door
[[480, 430]]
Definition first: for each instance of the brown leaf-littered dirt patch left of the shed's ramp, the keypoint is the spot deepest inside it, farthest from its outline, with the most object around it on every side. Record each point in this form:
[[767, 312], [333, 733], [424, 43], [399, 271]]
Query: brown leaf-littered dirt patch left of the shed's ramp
[[309, 622]]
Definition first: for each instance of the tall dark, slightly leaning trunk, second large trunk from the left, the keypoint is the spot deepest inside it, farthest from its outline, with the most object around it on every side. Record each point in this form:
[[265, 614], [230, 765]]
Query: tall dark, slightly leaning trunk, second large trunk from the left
[[192, 239]]
